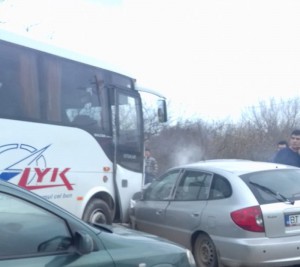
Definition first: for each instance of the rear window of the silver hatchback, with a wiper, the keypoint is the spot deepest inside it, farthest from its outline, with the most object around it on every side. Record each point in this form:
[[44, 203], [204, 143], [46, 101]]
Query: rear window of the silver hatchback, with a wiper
[[271, 186]]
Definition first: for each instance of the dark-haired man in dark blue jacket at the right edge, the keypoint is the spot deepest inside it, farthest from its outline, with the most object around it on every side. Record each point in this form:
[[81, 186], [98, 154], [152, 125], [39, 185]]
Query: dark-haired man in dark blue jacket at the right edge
[[290, 155]]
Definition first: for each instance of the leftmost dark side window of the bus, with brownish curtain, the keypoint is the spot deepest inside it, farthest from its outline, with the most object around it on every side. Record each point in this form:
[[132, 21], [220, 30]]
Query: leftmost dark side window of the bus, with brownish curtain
[[19, 92]]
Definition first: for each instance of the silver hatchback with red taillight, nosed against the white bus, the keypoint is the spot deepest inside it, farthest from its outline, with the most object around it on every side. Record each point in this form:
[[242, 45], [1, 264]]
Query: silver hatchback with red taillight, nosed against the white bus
[[228, 212]]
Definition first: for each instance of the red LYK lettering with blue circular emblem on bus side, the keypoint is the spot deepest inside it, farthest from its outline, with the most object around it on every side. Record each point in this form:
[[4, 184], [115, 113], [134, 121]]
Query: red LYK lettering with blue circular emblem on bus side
[[30, 164]]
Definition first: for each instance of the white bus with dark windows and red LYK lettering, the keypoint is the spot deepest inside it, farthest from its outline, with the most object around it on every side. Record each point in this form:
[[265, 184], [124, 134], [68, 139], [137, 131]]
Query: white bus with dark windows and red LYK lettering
[[71, 129]]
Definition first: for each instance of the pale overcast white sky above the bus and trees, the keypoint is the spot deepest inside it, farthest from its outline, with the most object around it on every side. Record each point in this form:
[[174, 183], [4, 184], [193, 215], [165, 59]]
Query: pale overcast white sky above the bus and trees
[[211, 59]]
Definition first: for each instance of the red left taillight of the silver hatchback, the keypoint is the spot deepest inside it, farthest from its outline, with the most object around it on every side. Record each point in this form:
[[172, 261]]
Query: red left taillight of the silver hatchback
[[249, 219]]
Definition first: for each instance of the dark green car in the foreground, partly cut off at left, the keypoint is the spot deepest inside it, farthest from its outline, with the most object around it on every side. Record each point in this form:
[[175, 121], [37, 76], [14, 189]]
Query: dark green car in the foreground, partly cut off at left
[[36, 233]]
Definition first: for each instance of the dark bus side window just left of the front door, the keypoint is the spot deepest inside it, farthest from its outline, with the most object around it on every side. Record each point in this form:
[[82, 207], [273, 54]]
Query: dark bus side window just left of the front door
[[81, 101]]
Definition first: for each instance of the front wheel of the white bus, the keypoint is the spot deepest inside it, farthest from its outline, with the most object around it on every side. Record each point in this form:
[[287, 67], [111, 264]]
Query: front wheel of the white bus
[[97, 211]]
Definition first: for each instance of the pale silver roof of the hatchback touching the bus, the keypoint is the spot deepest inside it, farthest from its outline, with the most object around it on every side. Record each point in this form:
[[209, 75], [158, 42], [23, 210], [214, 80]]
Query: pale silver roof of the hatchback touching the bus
[[236, 166]]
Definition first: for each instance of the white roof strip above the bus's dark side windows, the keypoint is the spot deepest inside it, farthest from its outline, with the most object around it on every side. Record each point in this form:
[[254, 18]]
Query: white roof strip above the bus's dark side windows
[[54, 49]]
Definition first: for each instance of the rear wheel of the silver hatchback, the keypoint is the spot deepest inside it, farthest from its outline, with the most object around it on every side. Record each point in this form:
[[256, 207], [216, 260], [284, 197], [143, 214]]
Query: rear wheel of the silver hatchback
[[205, 252]]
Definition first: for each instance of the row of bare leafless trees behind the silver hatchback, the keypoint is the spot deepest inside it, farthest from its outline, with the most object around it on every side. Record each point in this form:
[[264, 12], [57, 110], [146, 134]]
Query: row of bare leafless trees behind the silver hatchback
[[253, 137]]
